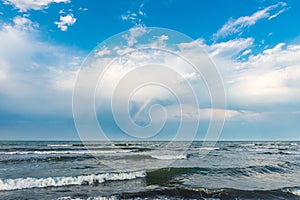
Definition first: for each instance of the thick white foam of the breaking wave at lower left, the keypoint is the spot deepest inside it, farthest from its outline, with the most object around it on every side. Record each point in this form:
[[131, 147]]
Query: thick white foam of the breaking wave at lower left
[[21, 183]]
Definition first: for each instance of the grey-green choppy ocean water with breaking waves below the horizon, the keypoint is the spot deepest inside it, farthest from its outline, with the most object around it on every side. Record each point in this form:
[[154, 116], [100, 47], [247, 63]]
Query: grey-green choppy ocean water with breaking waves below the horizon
[[149, 170]]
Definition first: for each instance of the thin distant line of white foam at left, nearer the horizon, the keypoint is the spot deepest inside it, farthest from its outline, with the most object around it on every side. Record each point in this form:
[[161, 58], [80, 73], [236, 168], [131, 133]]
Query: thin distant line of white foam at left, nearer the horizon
[[66, 152]]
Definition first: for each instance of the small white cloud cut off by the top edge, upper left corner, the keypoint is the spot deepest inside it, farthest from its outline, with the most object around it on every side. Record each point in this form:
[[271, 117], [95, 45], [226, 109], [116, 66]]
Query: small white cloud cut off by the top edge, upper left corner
[[25, 5]]
